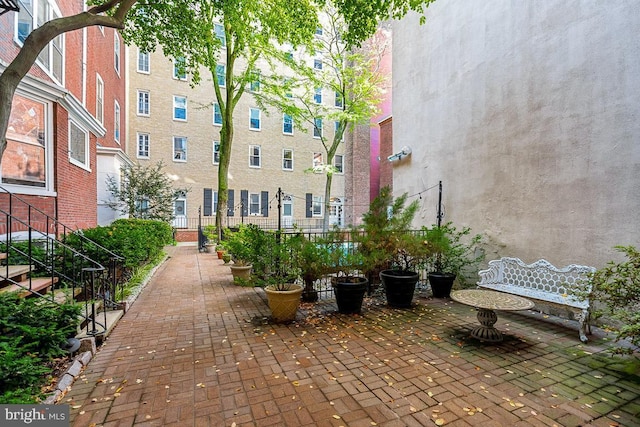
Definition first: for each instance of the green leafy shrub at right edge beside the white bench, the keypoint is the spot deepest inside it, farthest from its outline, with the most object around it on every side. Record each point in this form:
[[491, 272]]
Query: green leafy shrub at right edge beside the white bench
[[615, 289]]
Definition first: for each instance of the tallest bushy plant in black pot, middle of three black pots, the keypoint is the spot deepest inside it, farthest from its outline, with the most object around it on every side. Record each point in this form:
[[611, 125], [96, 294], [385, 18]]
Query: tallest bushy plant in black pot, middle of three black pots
[[392, 248]]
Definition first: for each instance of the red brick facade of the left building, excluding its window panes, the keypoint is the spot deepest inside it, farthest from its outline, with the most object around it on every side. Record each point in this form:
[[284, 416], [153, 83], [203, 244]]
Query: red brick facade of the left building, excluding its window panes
[[70, 193]]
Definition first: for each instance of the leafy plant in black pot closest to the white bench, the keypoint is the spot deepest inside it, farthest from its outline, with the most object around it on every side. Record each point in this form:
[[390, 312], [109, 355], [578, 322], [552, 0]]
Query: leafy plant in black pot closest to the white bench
[[455, 254]]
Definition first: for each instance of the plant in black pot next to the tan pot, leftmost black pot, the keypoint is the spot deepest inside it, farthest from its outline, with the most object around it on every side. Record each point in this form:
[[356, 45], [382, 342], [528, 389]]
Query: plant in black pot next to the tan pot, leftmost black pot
[[347, 264]]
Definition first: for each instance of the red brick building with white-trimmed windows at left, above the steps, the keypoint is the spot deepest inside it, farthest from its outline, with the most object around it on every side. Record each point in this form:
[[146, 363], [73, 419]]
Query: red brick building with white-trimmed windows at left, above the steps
[[67, 125]]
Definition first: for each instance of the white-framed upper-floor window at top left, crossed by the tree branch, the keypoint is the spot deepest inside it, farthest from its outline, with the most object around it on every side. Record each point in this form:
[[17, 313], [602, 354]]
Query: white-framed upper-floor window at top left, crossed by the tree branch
[[51, 58]]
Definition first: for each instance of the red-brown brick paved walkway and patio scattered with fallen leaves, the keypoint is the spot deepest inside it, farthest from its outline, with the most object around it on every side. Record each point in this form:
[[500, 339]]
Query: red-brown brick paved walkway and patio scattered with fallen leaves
[[196, 350]]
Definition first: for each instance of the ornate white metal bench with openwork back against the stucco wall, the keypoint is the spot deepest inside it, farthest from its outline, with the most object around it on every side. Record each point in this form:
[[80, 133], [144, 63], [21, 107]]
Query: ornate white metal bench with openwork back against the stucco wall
[[541, 281]]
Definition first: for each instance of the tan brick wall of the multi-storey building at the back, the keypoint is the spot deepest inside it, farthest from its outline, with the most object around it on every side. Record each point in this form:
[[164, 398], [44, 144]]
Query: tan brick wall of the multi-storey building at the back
[[199, 172]]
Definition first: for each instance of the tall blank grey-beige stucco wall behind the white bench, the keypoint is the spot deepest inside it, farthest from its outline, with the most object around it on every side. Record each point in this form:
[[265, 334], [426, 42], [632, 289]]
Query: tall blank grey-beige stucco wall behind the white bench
[[529, 112]]
